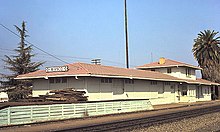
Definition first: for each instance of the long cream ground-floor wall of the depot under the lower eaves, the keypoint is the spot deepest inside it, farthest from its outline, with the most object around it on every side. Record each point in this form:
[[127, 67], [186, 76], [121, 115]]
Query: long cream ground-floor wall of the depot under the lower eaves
[[118, 89]]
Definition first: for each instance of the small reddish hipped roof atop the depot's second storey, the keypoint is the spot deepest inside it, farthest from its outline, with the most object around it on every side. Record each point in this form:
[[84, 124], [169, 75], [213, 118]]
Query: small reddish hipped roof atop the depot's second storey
[[168, 63]]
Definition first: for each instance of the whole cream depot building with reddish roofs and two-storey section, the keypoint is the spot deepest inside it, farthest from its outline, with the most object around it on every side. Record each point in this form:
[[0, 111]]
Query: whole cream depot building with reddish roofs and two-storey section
[[162, 82]]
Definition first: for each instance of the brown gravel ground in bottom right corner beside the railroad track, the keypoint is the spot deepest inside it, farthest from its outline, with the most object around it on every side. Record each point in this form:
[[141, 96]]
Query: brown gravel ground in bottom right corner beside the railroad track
[[204, 123]]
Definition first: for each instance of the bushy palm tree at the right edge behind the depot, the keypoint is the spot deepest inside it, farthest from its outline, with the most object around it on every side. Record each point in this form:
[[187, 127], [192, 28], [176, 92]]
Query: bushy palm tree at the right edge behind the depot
[[206, 51]]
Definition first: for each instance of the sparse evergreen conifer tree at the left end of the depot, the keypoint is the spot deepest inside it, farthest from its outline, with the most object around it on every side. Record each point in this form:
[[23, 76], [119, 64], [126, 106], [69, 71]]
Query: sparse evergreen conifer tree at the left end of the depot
[[20, 64]]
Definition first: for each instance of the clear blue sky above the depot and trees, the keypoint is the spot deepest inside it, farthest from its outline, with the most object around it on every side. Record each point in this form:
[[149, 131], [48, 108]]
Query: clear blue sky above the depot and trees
[[81, 30]]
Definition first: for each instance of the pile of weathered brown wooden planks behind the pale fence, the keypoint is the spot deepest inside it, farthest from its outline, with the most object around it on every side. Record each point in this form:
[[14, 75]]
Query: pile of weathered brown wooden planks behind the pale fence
[[62, 95]]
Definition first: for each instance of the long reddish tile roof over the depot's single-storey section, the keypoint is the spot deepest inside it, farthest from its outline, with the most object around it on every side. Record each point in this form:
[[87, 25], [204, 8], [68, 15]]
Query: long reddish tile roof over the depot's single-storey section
[[83, 69]]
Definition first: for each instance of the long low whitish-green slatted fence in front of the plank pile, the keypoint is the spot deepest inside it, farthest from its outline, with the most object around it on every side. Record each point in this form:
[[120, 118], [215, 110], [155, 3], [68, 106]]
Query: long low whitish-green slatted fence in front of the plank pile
[[39, 113]]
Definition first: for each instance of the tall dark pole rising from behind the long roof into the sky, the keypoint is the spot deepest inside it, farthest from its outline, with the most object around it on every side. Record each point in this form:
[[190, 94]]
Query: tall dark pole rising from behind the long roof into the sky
[[126, 34]]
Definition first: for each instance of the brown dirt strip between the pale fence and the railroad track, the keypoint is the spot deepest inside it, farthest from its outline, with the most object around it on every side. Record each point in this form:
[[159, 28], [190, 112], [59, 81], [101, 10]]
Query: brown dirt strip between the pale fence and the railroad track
[[72, 123]]
